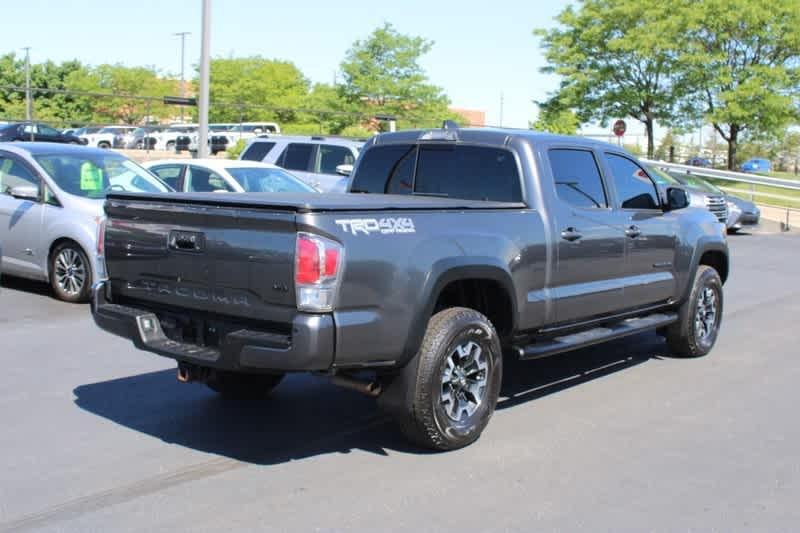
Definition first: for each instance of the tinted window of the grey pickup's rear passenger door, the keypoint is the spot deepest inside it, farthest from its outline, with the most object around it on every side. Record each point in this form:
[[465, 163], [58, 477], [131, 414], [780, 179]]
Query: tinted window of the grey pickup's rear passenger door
[[577, 178]]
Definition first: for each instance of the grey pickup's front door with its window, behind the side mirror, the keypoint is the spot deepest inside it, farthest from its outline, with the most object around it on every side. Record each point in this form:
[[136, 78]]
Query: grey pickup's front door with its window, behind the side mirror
[[650, 234]]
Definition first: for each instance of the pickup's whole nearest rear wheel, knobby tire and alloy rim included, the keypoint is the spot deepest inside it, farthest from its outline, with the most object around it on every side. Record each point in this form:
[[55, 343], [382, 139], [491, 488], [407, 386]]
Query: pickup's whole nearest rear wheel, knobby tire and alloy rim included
[[453, 393]]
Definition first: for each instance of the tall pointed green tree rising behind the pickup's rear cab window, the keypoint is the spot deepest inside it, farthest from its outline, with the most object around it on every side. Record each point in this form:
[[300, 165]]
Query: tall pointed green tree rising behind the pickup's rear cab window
[[382, 75]]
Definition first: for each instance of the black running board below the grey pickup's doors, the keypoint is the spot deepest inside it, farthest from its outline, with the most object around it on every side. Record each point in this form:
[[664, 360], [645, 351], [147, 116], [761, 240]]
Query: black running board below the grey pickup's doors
[[582, 339]]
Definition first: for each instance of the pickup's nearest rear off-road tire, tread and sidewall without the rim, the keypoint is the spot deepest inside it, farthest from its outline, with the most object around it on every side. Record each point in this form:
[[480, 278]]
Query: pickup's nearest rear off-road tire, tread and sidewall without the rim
[[423, 418]]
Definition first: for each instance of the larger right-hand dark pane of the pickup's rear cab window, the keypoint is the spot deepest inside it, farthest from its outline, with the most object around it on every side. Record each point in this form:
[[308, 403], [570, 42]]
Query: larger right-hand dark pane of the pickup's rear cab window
[[468, 172]]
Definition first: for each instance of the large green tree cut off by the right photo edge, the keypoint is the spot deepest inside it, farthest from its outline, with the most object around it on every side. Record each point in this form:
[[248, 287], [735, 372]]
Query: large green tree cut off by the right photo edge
[[741, 57]]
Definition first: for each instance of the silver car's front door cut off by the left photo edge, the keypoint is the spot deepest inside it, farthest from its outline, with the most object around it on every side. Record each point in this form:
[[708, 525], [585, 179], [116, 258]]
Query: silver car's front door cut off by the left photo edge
[[20, 219]]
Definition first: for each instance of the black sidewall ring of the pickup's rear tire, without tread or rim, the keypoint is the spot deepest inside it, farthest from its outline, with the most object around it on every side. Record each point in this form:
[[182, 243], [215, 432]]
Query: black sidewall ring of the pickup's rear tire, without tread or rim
[[480, 331]]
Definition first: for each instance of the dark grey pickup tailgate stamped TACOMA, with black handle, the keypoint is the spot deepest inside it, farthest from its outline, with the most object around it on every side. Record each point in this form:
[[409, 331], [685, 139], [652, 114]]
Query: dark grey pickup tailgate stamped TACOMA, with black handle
[[218, 260]]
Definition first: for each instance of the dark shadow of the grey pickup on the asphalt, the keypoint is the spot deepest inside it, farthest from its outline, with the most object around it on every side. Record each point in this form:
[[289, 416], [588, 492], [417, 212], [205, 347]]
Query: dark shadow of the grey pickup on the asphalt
[[306, 416]]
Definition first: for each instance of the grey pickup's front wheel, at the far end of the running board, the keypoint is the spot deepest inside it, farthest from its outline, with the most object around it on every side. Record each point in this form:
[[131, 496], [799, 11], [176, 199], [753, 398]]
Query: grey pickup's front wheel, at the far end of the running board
[[699, 317]]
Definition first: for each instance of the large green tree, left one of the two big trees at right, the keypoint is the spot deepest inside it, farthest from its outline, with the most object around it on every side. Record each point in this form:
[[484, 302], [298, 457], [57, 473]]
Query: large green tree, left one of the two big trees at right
[[615, 59]]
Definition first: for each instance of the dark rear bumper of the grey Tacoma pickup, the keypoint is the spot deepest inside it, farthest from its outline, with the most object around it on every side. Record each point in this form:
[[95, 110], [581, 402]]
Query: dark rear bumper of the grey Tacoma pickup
[[310, 346]]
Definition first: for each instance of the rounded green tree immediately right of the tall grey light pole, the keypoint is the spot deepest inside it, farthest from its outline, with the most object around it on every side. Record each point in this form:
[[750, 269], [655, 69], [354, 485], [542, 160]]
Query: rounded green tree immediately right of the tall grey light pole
[[256, 88]]
